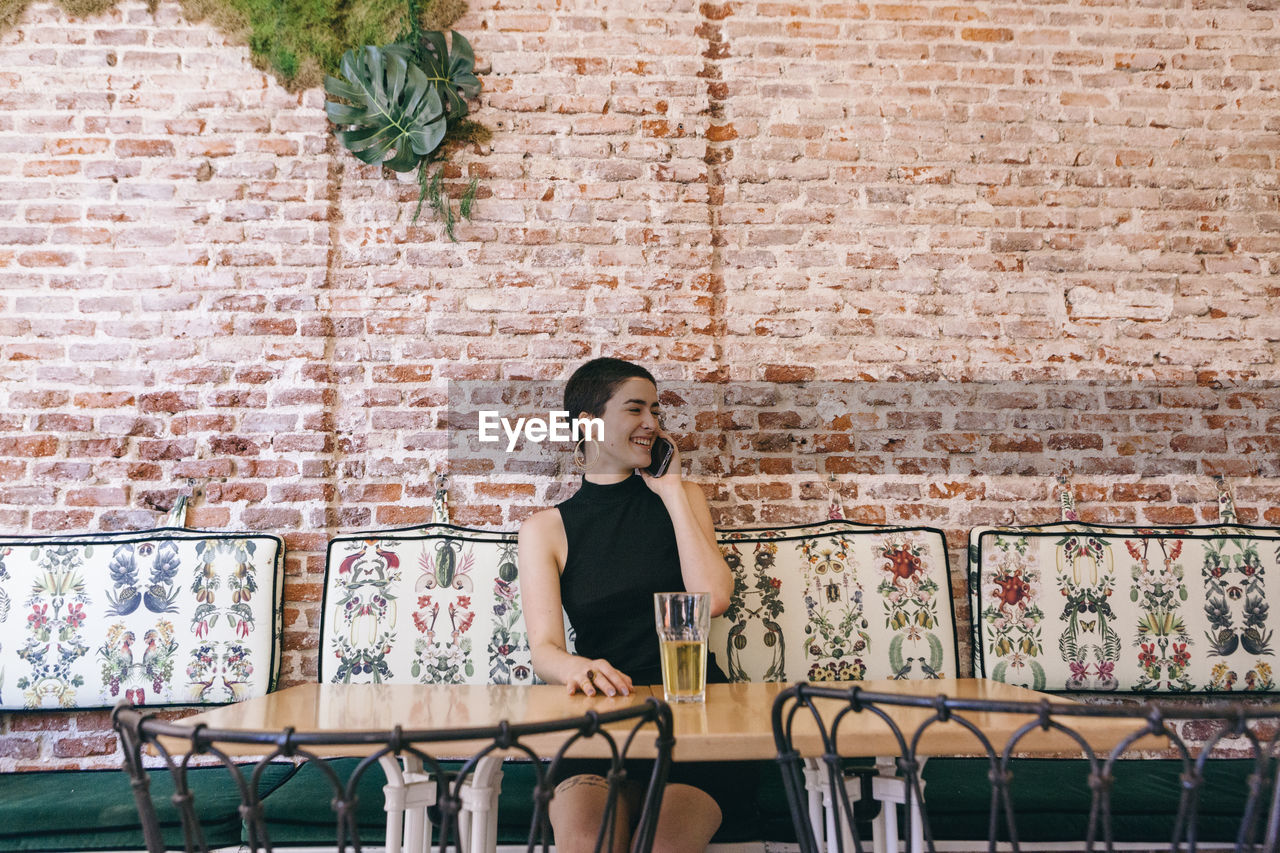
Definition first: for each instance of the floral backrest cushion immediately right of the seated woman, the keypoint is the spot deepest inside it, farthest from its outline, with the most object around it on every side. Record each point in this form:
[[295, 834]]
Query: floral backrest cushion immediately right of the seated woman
[[836, 601]]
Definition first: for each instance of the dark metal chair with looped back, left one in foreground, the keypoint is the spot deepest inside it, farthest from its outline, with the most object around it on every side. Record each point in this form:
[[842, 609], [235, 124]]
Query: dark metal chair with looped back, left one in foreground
[[179, 750]]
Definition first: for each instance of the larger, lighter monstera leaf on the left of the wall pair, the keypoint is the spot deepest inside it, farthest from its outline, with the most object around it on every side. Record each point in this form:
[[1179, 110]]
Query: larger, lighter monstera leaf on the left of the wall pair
[[394, 111]]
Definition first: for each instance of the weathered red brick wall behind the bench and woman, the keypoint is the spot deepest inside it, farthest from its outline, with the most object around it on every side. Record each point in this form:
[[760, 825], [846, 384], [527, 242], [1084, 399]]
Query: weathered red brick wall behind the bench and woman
[[199, 293]]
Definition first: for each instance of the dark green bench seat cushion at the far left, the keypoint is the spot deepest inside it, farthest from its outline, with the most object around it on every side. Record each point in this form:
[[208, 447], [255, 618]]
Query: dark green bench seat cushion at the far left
[[94, 810]]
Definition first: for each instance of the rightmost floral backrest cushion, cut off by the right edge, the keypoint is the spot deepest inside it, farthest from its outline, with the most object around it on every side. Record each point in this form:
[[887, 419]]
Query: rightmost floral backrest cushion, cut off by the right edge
[[1110, 609]]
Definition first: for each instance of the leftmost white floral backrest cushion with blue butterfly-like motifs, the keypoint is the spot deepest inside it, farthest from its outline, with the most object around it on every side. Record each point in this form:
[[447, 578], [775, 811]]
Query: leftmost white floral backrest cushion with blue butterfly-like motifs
[[167, 617]]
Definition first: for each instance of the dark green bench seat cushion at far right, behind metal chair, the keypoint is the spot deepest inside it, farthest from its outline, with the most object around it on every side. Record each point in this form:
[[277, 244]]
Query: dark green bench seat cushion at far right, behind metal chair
[[1053, 797]]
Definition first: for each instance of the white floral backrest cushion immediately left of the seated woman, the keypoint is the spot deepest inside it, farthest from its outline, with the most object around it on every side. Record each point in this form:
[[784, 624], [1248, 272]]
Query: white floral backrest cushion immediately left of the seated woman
[[433, 605]]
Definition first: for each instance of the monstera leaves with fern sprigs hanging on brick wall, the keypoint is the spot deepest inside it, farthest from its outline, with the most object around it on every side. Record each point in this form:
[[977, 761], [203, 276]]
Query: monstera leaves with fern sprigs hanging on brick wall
[[403, 106]]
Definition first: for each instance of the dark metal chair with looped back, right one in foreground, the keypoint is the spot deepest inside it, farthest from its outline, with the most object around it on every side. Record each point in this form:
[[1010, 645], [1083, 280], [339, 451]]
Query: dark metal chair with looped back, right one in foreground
[[1005, 738]]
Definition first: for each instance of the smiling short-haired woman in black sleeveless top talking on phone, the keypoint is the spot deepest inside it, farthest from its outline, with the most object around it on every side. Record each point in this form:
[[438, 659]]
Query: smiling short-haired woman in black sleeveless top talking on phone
[[601, 556]]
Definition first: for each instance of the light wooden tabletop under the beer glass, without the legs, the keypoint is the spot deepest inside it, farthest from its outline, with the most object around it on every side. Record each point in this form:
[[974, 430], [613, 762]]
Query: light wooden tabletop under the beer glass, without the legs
[[733, 726]]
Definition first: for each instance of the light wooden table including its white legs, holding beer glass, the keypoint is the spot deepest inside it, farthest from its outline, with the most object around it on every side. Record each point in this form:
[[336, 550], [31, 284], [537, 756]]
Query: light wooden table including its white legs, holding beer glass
[[733, 726]]
